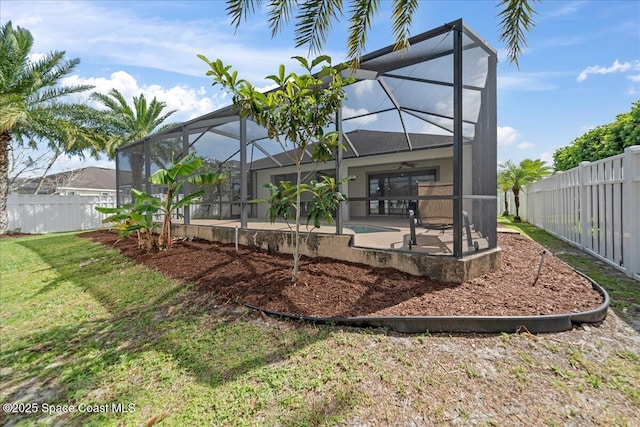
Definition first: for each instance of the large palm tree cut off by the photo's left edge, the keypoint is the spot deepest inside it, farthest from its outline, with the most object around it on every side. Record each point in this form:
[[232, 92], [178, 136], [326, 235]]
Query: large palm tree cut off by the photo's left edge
[[34, 107]]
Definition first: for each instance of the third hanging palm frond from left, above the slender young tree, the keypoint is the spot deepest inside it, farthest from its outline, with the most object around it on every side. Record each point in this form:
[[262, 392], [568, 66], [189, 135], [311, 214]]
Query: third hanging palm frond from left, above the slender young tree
[[314, 21]]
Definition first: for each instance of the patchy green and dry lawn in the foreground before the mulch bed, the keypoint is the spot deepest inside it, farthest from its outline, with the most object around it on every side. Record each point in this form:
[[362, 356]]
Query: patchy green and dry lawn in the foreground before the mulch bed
[[85, 327]]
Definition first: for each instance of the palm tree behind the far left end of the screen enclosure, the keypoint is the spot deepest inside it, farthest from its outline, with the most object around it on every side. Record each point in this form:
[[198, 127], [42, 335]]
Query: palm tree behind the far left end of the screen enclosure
[[126, 124]]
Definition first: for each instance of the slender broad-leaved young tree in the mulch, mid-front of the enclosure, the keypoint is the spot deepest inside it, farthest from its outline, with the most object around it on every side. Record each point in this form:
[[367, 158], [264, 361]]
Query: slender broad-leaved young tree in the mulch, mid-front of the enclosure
[[295, 115]]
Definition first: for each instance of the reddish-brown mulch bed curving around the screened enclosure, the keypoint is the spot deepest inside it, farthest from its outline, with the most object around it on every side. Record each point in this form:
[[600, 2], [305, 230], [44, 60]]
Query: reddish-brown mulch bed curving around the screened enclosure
[[331, 288]]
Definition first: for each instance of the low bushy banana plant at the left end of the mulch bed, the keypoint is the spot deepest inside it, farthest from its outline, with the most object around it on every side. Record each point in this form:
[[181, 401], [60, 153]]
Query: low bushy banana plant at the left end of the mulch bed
[[137, 216]]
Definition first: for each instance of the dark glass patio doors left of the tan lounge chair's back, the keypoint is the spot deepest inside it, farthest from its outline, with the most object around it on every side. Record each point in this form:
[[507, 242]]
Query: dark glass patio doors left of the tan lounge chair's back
[[391, 193]]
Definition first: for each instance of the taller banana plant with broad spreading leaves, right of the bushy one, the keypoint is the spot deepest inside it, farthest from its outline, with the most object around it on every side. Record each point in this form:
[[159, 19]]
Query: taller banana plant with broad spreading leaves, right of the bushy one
[[174, 178]]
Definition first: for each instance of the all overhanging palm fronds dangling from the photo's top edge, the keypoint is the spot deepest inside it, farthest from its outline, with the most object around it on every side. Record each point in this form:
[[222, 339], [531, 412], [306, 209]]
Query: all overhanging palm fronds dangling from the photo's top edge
[[314, 19]]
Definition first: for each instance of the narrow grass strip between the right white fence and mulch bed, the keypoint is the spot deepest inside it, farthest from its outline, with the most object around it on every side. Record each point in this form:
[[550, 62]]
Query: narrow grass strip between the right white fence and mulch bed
[[623, 291]]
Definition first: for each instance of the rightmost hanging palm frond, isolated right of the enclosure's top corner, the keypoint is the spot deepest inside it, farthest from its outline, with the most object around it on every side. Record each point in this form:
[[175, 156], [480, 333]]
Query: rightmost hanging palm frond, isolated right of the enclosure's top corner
[[517, 17]]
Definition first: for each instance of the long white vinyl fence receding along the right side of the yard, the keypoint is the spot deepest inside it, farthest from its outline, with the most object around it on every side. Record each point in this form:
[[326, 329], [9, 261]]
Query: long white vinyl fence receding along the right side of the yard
[[595, 206]]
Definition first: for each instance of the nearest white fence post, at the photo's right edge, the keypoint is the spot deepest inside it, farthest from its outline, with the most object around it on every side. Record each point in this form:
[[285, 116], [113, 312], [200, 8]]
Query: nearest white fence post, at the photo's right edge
[[630, 209]]
